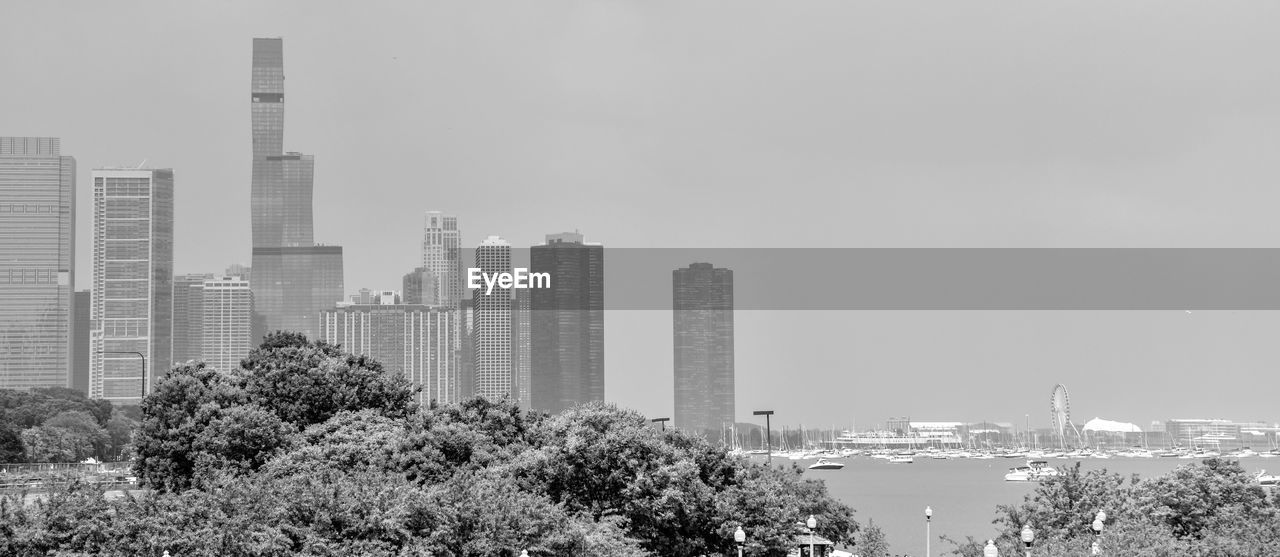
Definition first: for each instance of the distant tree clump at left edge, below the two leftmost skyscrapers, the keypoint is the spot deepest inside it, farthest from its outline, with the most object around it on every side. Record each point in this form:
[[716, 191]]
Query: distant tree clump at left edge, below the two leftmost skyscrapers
[[61, 426]]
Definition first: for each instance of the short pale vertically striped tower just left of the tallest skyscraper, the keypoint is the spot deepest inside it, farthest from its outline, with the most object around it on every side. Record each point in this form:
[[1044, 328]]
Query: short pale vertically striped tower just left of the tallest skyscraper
[[226, 322]]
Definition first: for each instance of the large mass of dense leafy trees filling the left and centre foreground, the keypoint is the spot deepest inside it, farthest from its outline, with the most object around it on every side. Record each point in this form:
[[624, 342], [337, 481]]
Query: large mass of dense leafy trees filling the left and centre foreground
[[310, 451]]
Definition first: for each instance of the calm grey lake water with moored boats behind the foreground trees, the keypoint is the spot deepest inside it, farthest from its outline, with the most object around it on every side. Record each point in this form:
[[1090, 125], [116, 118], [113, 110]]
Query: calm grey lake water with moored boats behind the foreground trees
[[964, 494]]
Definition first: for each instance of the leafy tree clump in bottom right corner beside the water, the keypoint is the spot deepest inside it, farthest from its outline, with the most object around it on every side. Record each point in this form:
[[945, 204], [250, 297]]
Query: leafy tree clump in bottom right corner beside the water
[[1208, 510]]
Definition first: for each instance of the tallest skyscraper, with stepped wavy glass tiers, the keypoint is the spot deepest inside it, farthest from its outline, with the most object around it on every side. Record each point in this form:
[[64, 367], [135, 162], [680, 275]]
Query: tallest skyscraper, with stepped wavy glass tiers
[[294, 278]]
